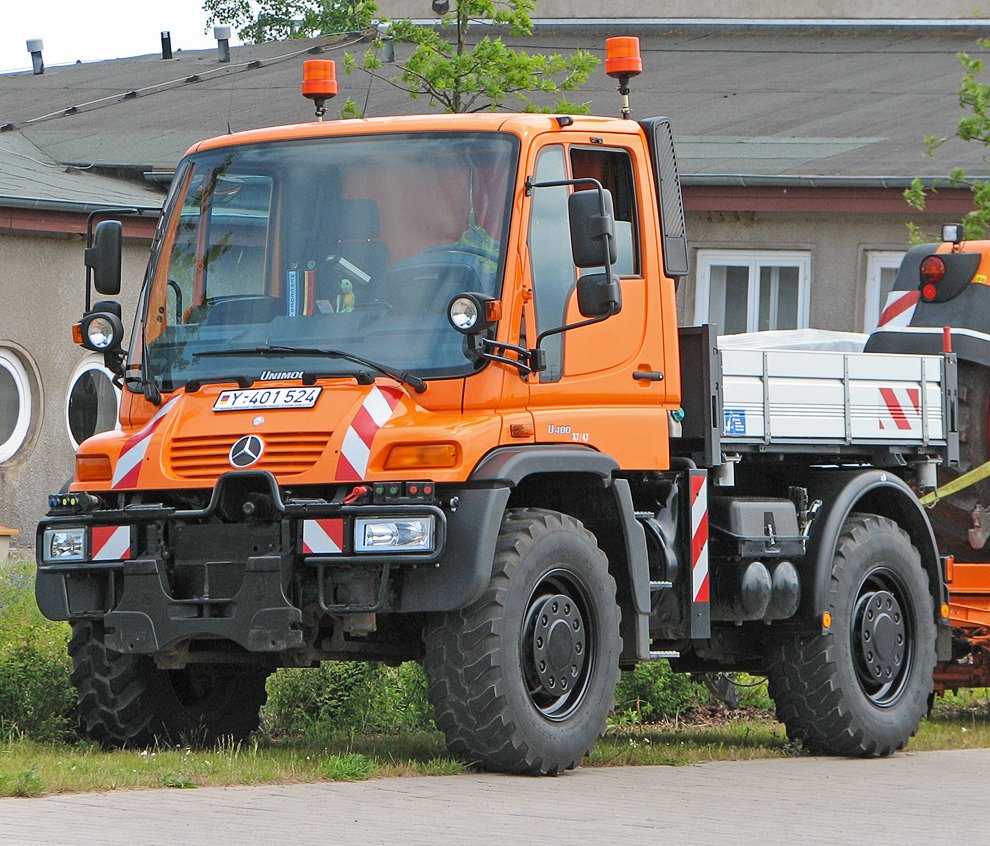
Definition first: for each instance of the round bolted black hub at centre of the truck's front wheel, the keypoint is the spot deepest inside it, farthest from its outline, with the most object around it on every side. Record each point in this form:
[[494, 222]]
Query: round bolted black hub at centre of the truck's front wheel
[[558, 644]]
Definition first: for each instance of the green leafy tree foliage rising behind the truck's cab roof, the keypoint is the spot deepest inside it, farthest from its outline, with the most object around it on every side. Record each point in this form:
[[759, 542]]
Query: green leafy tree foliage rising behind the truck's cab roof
[[448, 65]]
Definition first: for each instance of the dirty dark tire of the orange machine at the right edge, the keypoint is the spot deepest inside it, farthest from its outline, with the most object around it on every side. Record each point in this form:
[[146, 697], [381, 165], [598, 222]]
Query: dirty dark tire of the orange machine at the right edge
[[951, 518]]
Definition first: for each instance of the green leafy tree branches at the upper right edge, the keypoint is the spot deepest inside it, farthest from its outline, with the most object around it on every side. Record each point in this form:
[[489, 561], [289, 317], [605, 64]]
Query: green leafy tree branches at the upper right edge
[[973, 125]]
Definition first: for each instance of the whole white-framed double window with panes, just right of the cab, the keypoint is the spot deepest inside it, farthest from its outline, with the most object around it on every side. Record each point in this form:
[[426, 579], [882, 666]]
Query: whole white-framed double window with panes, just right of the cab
[[742, 291]]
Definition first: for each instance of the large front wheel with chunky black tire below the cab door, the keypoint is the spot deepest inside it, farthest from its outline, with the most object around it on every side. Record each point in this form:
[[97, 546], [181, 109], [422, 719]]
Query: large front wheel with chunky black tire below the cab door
[[523, 679]]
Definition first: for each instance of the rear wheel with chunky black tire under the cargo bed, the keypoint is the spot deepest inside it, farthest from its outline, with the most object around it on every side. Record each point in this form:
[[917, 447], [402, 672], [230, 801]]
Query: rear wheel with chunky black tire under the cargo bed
[[861, 688]]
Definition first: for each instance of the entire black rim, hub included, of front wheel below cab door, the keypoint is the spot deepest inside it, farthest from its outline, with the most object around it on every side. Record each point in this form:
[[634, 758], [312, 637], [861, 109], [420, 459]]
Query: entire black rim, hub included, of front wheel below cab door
[[558, 645]]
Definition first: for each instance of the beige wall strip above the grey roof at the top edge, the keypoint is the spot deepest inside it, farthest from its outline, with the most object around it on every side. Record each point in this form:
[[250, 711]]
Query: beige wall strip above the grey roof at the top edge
[[834, 9]]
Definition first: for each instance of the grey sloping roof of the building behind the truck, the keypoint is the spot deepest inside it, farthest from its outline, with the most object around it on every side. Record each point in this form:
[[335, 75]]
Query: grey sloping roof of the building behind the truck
[[750, 105]]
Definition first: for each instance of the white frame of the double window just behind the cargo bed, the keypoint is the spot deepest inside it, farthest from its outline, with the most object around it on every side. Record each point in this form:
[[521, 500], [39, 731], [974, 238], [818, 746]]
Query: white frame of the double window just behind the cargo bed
[[753, 260]]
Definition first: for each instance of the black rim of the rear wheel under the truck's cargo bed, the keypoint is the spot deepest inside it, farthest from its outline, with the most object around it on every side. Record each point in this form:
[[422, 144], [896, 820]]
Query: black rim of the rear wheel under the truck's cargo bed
[[882, 637]]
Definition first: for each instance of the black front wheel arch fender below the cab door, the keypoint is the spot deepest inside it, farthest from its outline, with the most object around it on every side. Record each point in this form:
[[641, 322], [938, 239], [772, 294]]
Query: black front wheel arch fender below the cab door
[[579, 481]]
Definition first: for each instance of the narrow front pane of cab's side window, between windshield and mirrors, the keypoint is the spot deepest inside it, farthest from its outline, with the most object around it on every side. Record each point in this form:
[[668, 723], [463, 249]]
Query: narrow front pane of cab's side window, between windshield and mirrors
[[550, 256]]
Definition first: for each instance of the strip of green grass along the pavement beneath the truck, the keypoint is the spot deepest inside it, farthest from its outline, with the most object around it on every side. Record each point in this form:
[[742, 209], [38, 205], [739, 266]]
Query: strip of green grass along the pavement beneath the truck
[[28, 768]]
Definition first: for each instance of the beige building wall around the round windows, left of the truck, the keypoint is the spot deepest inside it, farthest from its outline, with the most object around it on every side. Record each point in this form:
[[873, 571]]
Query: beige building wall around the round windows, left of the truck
[[41, 284]]
